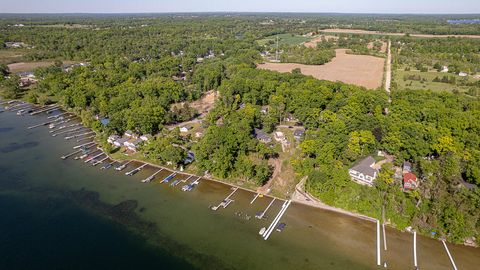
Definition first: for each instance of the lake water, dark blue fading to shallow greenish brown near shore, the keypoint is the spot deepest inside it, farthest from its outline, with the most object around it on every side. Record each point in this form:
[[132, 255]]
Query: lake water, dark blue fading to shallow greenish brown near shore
[[103, 215]]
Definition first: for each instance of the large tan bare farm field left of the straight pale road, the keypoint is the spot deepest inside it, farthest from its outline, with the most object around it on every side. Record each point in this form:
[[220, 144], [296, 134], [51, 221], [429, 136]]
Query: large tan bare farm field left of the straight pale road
[[362, 70]]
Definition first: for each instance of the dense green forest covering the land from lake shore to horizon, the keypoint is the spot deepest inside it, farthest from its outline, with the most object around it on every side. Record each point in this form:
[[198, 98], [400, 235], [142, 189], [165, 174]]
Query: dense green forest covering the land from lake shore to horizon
[[130, 78]]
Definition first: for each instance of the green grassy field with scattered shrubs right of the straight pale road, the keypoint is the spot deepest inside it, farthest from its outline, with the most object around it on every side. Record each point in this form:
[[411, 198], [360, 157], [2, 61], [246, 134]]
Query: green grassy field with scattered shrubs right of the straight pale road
[[398, 76]]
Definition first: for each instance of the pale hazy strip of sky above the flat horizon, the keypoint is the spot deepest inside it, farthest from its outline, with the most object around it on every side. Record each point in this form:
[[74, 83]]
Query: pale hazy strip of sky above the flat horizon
[[159, 6]]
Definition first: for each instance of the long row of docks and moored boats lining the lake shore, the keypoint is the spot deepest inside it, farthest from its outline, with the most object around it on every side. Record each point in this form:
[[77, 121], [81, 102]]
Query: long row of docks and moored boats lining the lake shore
[[66, 125]]
